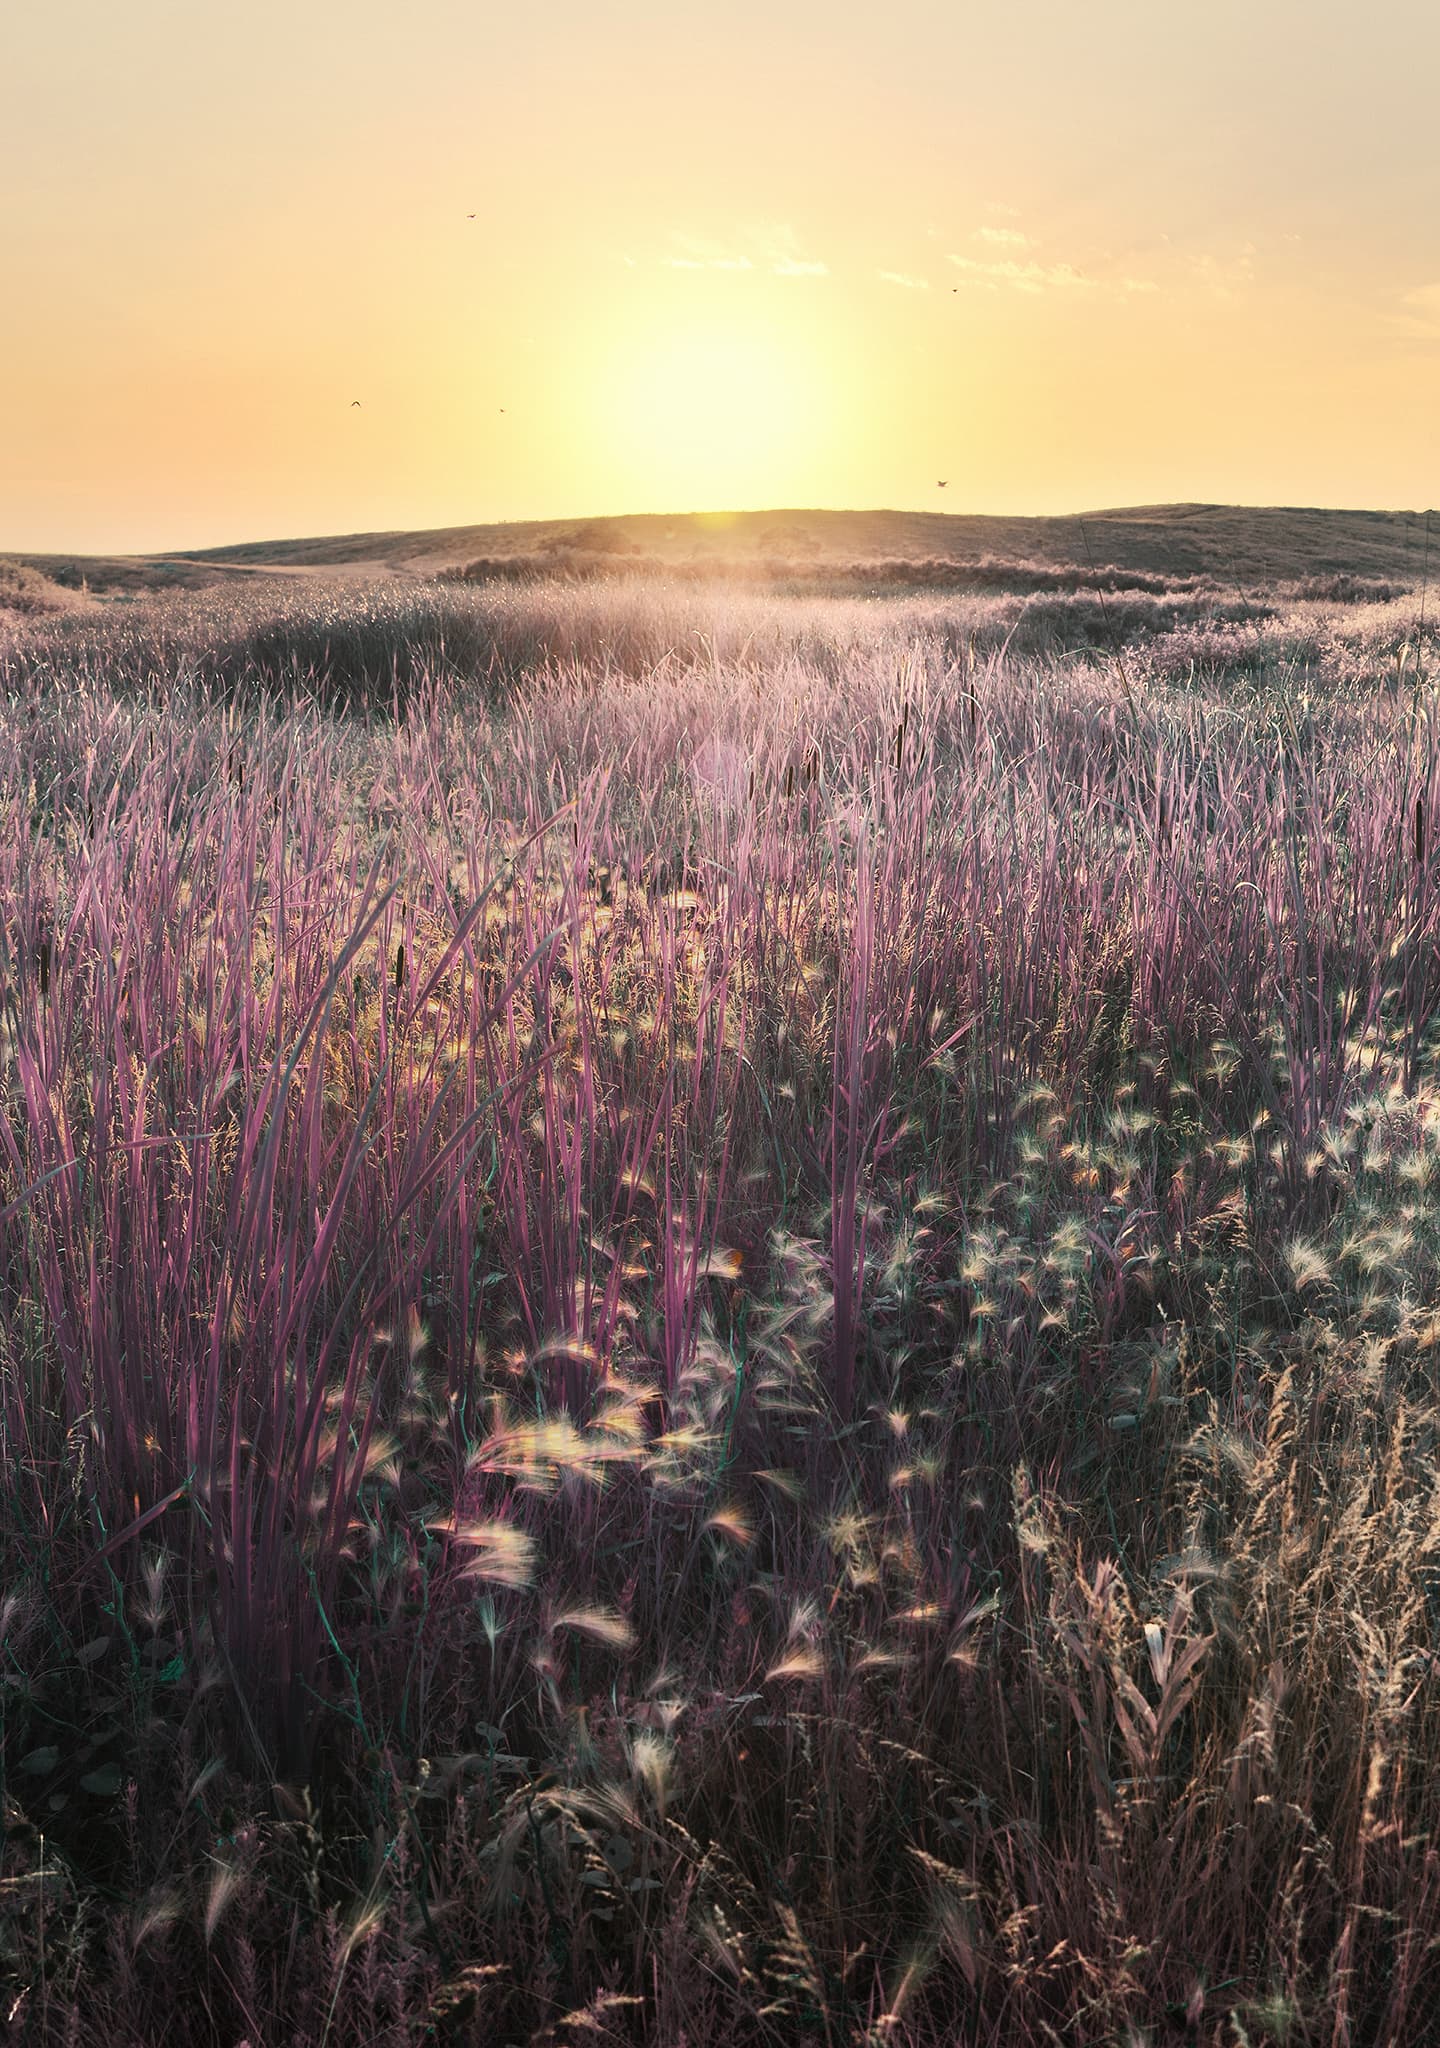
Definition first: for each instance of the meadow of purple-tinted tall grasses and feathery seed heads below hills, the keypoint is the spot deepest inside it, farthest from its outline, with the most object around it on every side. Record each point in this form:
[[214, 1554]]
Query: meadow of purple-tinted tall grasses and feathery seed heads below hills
[[720, 1312]]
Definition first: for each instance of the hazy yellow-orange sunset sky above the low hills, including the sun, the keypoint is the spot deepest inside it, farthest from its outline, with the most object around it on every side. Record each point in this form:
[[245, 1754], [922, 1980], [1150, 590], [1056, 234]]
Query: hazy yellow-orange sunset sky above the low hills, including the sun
[[654, 257]]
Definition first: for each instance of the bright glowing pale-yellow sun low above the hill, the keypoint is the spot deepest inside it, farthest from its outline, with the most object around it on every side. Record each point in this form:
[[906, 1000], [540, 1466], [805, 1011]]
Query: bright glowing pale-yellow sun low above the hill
[[712, 415]]
